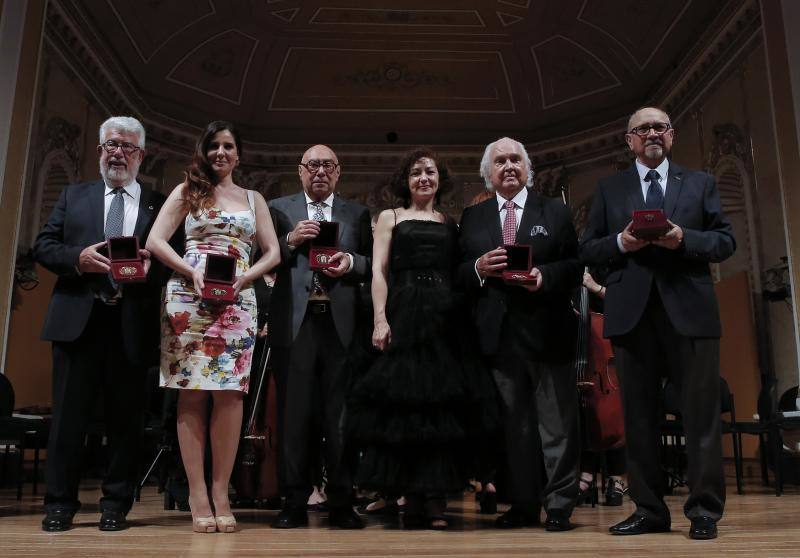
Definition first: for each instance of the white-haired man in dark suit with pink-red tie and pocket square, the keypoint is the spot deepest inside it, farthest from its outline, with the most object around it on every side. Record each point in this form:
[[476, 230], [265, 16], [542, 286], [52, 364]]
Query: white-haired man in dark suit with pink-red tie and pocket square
[[528, 332]]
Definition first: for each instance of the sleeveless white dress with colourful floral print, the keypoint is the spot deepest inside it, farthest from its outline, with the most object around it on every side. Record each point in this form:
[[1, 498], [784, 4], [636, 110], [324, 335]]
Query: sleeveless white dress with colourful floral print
[[209, 345]]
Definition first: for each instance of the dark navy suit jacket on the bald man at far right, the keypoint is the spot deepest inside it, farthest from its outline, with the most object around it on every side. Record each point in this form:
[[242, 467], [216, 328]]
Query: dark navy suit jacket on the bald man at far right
[[682, 276]]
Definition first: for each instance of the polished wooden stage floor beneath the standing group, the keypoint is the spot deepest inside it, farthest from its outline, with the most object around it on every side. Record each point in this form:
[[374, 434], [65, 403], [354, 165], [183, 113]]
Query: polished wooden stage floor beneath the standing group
[[755, 524]]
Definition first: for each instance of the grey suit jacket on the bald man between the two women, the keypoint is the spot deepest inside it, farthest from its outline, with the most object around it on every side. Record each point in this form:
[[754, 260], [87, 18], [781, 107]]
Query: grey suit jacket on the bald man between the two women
[[293, 282]]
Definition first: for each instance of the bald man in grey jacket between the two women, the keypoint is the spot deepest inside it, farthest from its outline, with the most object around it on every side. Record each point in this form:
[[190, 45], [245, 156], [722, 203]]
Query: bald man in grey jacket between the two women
[[312, 319]]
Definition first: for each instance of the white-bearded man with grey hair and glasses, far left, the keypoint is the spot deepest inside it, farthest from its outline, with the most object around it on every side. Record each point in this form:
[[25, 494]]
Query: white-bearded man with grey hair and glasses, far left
[[104, 334]]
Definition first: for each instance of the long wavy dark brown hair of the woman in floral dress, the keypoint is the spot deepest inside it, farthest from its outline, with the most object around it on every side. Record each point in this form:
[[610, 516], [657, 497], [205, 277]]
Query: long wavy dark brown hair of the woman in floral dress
[[200, 179]]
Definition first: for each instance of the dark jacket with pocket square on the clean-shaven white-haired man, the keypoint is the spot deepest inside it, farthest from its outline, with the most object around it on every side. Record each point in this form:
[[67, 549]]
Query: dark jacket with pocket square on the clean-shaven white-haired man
[[545, 316]]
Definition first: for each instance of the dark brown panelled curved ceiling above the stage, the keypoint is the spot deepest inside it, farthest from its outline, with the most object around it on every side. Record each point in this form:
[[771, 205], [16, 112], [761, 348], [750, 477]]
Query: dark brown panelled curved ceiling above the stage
[[412, 71]]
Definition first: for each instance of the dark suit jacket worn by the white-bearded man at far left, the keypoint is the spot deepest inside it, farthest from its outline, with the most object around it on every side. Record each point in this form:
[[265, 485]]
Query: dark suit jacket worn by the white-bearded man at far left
[[75, 223]]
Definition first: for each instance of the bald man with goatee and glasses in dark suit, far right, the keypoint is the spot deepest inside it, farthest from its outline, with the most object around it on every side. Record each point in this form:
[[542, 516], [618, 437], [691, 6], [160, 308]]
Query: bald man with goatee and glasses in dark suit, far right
[[662, 317]]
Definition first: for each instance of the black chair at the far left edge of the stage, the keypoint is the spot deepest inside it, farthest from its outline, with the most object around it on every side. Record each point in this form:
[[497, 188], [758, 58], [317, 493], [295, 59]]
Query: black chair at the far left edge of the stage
[[22, 431]]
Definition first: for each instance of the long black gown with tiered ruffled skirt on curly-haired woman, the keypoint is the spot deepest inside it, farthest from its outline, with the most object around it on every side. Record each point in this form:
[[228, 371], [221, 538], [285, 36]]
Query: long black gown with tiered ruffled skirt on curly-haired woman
[[421, 409]]
